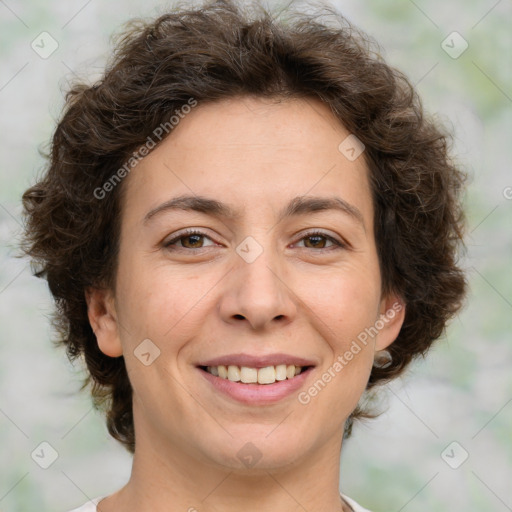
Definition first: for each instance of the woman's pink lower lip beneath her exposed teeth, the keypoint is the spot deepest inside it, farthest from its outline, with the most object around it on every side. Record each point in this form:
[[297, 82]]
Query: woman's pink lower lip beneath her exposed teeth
[[257, 394]]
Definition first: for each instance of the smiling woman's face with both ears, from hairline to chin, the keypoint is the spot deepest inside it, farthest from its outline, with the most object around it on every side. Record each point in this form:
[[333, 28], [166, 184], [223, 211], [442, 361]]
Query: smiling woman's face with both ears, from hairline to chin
[[269, 273]]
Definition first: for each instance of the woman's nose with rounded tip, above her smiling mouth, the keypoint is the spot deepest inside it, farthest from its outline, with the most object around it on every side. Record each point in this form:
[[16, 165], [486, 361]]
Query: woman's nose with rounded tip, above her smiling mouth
[[258, 293]]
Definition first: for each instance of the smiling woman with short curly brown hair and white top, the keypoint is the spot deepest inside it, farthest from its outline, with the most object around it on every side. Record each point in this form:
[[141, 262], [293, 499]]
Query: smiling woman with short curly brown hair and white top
[[247, 224]]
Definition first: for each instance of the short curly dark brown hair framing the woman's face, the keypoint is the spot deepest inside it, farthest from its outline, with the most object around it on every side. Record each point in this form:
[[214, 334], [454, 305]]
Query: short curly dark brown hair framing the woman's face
[[216, 51]]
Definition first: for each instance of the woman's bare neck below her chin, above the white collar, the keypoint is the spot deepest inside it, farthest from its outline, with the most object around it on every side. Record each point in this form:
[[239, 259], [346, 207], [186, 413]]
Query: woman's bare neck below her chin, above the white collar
[[167, 478]]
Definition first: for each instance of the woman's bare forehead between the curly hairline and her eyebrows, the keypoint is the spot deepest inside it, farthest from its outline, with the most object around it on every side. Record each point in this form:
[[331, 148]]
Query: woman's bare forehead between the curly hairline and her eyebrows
[[251, 150]]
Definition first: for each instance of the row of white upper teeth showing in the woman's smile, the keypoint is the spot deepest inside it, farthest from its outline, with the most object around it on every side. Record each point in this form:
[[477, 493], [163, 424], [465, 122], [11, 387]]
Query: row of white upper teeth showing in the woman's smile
[[267, 375]]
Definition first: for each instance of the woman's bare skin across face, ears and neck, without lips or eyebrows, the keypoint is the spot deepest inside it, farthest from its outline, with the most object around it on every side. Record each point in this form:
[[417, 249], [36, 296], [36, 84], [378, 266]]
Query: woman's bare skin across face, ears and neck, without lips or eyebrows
[[302, 296]]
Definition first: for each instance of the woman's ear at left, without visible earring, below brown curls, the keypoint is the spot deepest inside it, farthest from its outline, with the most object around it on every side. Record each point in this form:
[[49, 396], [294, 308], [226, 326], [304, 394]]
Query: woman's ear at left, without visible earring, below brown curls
[[103, 319]]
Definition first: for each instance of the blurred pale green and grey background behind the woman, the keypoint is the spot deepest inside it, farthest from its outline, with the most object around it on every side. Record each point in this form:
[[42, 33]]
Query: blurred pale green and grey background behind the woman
[[461, 393]]
